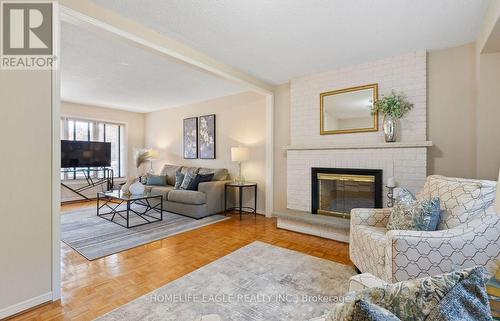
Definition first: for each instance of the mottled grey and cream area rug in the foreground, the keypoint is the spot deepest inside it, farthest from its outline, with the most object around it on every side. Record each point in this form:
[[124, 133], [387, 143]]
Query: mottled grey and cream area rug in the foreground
[[259, 282]]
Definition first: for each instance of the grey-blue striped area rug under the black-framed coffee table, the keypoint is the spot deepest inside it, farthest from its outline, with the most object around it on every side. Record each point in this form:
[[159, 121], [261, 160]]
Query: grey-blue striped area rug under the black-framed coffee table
[[94, 237]]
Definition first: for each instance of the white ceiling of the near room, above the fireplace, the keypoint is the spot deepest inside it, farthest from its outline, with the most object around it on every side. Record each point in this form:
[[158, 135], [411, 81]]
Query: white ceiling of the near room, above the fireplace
[[277, 40]]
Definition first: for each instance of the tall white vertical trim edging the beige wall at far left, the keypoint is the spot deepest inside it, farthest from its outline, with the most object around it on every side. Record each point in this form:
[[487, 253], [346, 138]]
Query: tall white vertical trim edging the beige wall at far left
[[56, 158]]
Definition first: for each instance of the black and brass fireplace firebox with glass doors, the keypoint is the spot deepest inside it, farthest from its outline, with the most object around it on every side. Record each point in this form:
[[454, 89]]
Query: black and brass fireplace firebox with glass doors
[[335, 191]]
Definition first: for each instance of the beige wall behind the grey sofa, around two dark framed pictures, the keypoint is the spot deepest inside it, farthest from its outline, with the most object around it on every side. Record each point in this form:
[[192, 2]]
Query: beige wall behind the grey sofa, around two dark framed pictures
[[240, 121]]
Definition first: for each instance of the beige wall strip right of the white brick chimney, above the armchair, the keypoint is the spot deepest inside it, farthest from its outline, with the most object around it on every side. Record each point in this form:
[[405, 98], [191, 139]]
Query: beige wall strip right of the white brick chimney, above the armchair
[[452, 96]]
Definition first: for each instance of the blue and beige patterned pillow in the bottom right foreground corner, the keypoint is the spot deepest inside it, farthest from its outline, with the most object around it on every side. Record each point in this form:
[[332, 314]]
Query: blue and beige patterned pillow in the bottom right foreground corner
[[455, 296]]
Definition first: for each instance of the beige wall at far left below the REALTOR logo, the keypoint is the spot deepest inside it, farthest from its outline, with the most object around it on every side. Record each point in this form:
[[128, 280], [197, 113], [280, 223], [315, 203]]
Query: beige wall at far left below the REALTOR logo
[[26, 189]]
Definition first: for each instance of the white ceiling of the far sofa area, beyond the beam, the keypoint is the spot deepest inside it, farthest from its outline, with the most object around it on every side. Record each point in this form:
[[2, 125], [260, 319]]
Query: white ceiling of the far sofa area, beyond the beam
[[100, 69]]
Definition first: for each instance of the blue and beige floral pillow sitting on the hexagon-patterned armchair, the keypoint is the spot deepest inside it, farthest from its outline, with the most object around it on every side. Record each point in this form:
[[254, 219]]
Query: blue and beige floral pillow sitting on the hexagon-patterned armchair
[[409, 213]]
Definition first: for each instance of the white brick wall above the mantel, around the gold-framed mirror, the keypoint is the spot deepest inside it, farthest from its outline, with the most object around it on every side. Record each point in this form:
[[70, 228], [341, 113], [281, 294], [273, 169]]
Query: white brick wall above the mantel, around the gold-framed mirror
[[402, 73]]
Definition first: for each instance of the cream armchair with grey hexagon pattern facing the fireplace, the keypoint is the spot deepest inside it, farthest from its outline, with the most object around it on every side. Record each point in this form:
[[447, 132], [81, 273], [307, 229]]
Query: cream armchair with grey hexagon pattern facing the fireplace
[[468, 234]]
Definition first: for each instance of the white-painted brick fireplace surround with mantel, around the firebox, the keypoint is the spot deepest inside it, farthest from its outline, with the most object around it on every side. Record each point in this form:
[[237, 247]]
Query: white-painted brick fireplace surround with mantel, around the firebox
[[405, 160]]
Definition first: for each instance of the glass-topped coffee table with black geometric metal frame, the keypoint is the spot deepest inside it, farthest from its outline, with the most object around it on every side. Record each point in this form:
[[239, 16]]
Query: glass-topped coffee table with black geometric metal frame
[[129, 210]]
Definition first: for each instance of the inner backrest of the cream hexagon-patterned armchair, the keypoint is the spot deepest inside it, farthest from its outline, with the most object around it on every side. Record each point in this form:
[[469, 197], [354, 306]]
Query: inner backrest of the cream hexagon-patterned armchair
[[461, 199]]
